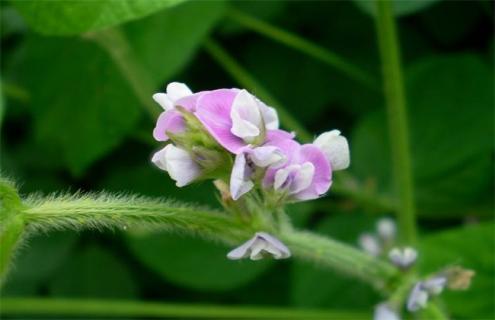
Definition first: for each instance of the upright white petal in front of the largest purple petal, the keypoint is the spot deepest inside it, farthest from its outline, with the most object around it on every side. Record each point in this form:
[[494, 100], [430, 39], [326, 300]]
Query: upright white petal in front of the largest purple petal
[[246, 117]]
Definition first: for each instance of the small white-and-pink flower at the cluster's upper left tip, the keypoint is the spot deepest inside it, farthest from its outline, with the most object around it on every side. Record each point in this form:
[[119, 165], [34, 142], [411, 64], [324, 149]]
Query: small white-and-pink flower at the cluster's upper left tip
[[171, 120]]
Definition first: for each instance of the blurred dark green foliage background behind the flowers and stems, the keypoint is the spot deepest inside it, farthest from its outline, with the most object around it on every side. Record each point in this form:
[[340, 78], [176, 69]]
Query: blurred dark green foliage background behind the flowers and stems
[[75, 119]]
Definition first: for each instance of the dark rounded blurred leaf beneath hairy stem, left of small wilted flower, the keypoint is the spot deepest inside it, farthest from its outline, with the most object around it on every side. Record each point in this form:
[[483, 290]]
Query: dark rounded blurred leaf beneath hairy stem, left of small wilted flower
[[194, 263]]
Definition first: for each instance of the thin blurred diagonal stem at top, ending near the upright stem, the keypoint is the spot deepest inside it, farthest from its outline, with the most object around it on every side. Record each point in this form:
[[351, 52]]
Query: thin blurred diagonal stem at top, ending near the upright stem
[[294, 41]]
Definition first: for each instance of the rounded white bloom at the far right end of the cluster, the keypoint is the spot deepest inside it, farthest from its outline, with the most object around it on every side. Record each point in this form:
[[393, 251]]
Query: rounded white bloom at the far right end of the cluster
[[335, 148]]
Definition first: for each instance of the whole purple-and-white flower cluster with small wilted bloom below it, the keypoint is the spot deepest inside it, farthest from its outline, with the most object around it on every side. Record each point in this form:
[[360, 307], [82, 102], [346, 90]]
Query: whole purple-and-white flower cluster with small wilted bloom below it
[[232, 136]]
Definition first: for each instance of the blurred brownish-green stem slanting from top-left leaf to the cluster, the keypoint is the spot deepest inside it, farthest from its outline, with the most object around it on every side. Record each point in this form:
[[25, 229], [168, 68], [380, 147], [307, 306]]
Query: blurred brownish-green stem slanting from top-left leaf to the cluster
[[114, 42]]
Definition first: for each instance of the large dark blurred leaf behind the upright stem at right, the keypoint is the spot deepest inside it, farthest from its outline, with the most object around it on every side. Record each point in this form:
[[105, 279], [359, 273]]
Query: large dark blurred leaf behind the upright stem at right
[[449, 100]]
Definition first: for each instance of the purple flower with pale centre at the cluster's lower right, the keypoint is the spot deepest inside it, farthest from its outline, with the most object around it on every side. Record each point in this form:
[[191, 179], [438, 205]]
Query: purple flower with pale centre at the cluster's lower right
[[305, 175]]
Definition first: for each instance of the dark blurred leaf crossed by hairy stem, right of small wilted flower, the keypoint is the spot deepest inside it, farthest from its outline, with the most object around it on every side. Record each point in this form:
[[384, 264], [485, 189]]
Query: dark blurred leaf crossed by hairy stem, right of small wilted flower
[[314, 287]]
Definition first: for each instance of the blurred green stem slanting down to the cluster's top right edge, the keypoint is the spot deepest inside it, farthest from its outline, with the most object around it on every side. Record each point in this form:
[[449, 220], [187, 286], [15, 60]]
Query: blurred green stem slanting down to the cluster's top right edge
[[243, 77]]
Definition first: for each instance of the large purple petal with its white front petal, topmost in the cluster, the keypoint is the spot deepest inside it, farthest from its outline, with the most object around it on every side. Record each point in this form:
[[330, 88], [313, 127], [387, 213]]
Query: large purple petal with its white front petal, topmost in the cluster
[[235, 118]]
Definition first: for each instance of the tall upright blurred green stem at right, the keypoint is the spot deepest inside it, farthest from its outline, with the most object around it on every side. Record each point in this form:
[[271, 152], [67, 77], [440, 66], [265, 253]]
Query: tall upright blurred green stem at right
[[397, 118]]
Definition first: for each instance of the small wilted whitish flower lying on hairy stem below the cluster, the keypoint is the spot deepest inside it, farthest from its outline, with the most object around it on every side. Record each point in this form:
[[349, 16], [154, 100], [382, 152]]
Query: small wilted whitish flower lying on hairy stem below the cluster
[[259, 246]]
